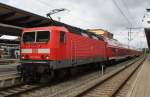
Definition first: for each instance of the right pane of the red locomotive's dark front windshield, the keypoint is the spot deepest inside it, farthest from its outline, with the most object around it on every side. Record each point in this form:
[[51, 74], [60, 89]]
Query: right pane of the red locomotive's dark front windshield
[[42, 36]]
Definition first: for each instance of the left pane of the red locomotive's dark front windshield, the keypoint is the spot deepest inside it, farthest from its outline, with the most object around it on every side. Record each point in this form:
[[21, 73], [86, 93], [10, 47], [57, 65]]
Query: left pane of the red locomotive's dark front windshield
[[29, 37]]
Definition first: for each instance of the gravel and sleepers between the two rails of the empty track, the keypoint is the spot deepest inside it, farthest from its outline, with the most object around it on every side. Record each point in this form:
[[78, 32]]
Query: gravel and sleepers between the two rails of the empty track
[[111, 85]]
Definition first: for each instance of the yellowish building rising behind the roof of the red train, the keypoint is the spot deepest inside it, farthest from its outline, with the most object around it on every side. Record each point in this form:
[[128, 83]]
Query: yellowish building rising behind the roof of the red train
[[102, 32]]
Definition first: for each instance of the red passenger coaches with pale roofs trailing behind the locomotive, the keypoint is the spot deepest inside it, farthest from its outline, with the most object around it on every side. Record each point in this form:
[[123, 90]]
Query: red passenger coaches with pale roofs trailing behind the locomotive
[[118, 51]]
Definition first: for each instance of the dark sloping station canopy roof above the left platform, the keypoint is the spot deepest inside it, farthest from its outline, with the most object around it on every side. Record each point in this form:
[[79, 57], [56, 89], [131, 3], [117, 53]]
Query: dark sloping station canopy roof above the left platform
[[17, 17]]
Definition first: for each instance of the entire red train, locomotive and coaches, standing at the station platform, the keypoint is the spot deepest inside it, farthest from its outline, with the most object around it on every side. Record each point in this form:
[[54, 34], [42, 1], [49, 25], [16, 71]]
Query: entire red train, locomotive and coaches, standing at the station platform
[[46, 51]]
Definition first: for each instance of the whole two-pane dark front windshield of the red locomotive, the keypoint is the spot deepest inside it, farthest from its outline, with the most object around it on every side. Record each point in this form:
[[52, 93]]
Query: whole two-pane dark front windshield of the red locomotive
[[37, 36]]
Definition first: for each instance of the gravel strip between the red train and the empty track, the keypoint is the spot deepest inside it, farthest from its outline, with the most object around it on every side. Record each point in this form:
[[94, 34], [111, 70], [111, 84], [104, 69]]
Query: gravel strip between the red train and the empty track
[[72, 83]]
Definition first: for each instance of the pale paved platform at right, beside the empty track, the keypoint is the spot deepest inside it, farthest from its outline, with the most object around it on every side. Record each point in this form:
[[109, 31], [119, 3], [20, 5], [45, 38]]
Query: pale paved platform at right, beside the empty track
[[141, 85]]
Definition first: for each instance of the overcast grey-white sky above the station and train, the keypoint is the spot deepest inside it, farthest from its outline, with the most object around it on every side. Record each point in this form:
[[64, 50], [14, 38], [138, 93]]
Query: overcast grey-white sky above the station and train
[[88, 14]]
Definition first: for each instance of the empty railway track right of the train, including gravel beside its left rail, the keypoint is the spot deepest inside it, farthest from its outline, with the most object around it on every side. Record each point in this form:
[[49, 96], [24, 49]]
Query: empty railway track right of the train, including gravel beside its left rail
[[106, 86]]
